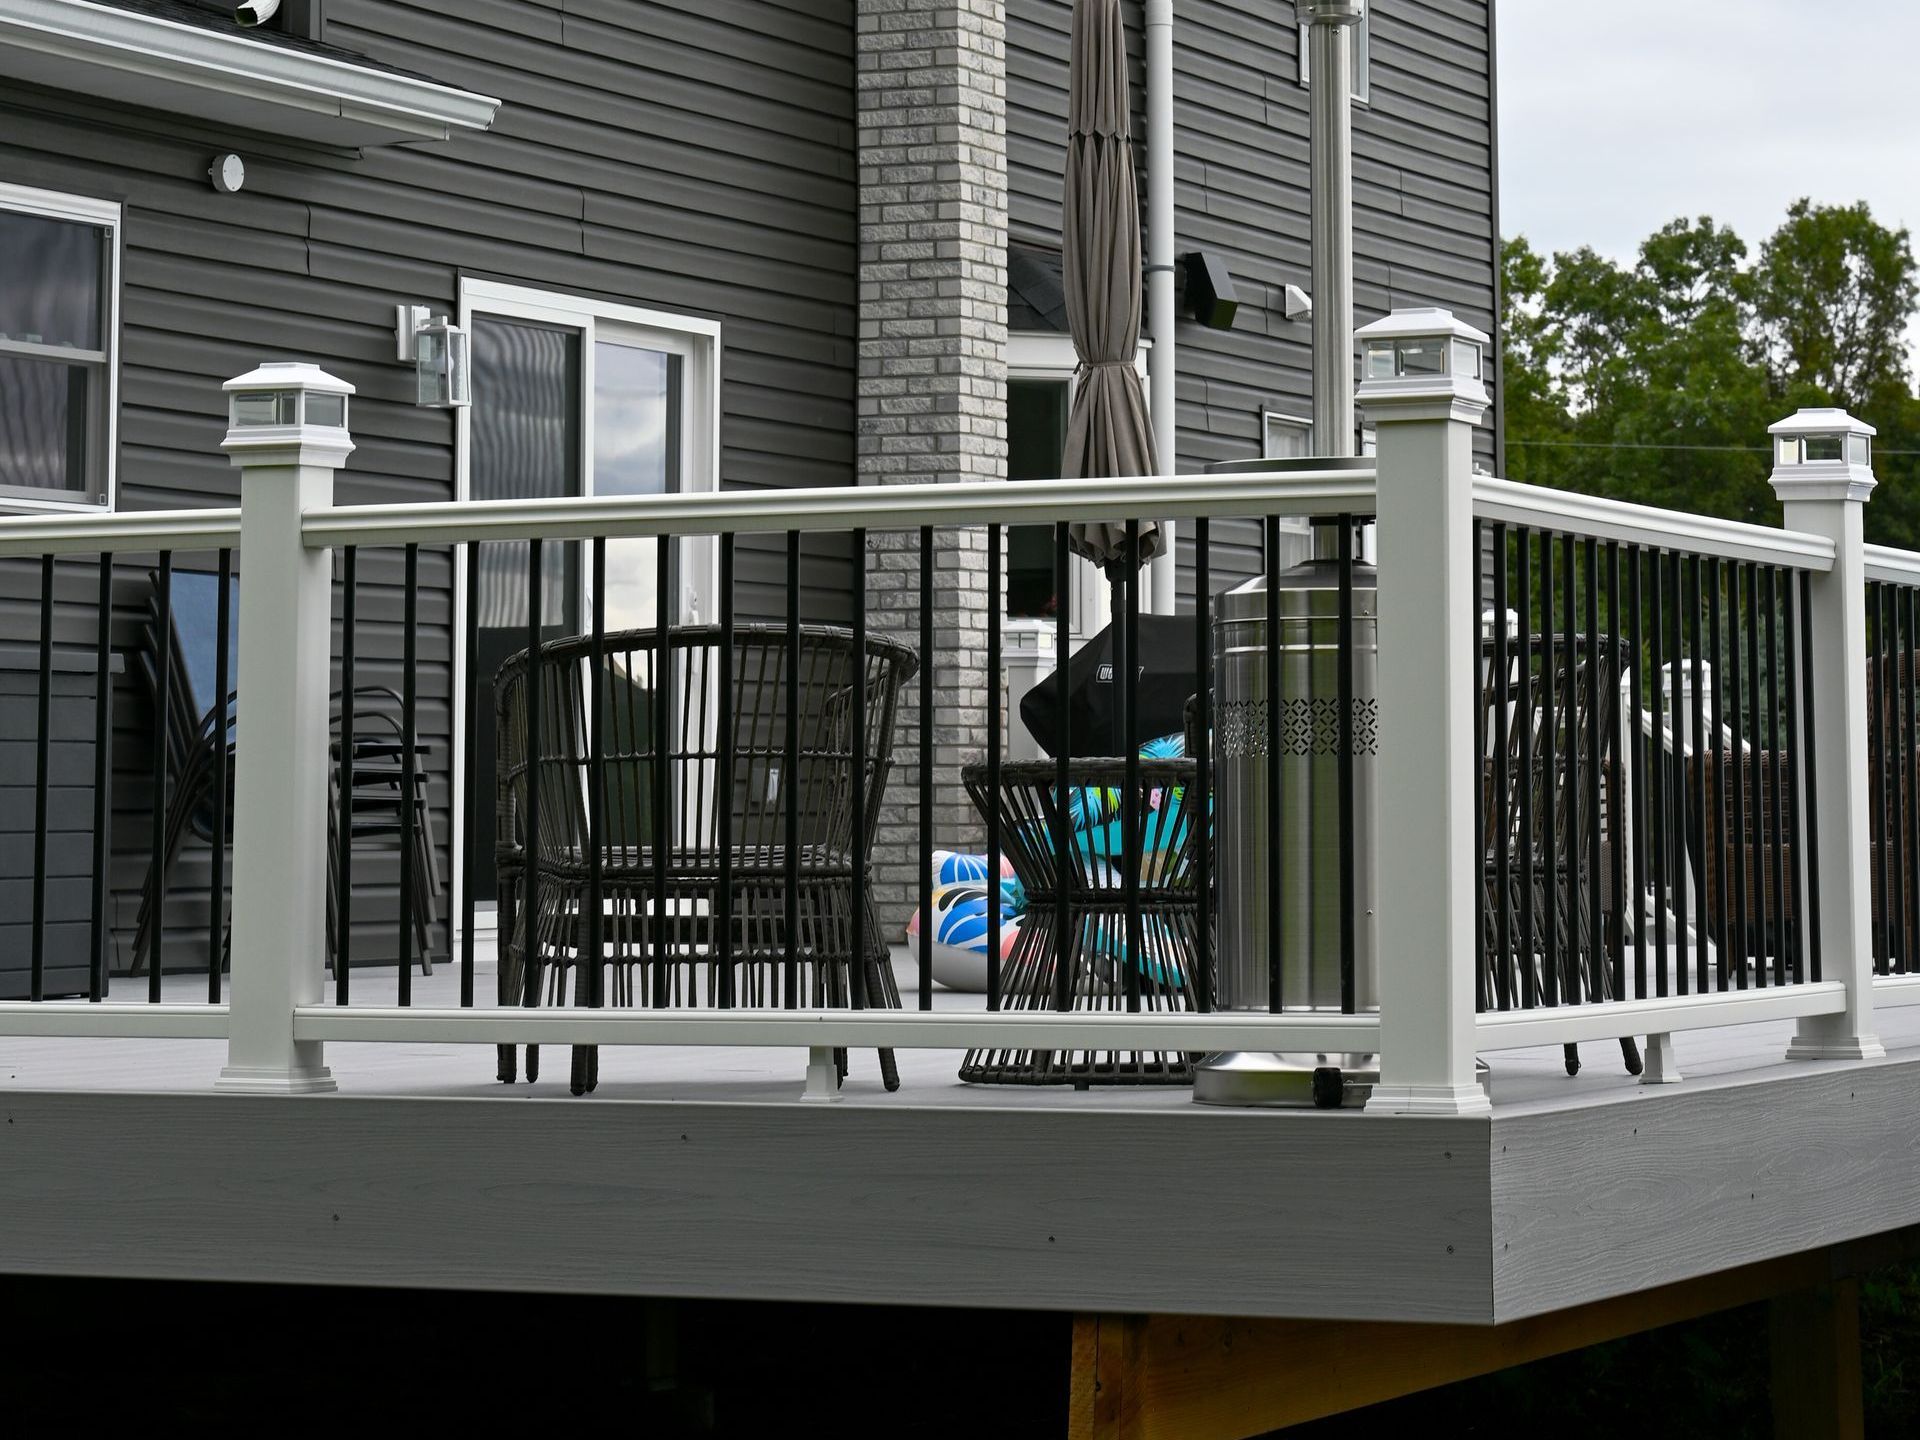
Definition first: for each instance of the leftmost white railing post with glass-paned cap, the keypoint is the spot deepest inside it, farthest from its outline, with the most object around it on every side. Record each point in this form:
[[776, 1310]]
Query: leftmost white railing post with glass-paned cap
[[287, 435]]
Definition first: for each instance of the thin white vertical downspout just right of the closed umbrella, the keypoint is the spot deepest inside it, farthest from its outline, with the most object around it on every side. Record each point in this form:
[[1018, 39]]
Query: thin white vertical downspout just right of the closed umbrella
[[1161, 322]]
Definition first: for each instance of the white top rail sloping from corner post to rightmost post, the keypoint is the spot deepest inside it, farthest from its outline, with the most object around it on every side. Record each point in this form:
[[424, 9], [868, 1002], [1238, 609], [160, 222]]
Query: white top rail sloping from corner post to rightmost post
[[1648, 525]]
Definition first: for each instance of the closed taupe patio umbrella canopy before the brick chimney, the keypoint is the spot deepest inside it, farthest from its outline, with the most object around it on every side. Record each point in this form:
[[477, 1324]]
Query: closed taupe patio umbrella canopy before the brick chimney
[[1109, 431]]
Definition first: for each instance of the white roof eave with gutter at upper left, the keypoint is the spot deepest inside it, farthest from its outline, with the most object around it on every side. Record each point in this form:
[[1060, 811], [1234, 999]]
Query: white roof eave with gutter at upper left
[[135, 59]]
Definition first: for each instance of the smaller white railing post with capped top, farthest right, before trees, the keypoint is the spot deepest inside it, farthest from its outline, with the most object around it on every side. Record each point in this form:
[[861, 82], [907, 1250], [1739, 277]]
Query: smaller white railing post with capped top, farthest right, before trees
[[1823, 475]]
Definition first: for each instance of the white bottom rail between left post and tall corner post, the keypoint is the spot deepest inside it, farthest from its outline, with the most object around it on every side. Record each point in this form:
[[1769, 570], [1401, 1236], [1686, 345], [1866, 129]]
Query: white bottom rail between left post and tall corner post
[[861, 1030]]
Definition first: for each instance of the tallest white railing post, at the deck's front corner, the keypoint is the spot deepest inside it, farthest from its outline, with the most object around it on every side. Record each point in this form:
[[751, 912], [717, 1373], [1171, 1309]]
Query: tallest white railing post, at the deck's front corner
[[1424, 393]]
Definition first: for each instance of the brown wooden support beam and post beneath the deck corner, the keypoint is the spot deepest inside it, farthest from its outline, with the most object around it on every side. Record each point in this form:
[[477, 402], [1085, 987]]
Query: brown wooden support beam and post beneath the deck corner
[[1205, 1378]]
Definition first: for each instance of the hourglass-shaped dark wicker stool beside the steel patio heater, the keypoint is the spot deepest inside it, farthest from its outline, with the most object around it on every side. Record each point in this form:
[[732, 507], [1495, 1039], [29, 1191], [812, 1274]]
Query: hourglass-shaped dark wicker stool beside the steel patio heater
[[1097, 953]]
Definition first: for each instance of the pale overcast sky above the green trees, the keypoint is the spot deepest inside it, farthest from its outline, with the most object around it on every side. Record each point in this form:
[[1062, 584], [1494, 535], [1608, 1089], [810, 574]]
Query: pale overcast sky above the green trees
[[1620, 116]]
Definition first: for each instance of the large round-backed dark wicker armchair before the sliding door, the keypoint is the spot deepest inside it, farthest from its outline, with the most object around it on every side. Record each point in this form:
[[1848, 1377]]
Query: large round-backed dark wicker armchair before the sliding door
[[692, 863]]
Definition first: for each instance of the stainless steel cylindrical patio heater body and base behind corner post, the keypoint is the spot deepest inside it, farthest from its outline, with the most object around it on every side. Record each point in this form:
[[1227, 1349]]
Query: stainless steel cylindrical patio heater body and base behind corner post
[[1282, 888]]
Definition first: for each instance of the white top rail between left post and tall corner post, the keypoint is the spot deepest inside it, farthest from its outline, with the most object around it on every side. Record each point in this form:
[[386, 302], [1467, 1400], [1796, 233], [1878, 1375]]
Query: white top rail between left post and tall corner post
[[848, 508]]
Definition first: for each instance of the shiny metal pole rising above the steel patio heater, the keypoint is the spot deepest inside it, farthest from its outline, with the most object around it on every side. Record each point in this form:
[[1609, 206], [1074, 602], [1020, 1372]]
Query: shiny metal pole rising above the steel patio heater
[[1332, 89]]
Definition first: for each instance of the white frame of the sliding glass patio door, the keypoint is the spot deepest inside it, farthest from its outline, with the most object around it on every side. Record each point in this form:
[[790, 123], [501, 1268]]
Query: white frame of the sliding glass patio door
[[698, 343]]
